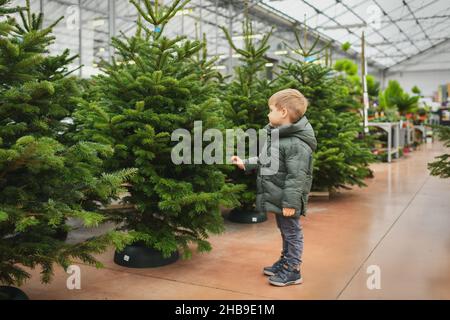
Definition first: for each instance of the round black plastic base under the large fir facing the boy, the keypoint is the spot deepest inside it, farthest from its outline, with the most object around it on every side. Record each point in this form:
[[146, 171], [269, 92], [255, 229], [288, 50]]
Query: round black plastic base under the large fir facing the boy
[[141, 256]]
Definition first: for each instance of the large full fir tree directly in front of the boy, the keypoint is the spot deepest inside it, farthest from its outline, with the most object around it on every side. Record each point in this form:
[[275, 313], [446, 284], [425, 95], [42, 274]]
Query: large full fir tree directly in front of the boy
[[153, 87]]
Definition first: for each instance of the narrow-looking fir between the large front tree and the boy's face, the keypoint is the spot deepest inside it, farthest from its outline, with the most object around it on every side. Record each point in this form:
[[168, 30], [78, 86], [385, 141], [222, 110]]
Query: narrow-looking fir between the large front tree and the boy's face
[[247, 96]]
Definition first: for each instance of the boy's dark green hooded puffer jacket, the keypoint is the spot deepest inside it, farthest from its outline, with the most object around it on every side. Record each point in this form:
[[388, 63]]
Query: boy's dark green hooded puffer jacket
[[289, 186]]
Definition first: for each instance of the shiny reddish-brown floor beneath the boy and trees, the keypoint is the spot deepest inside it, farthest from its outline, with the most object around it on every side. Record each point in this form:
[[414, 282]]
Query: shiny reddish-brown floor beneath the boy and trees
[[400, 223]]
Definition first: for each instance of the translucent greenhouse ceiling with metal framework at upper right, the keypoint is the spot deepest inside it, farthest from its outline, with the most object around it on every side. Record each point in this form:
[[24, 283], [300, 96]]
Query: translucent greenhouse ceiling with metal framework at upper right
[[395, 30]]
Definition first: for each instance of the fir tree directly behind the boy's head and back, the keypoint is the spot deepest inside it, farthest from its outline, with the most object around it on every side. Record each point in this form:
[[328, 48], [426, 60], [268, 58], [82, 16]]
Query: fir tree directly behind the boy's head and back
[[342, 158]]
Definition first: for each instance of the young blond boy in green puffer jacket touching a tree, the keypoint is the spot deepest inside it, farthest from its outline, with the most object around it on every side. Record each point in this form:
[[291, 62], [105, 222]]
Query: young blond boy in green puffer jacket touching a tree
[[285, 193]]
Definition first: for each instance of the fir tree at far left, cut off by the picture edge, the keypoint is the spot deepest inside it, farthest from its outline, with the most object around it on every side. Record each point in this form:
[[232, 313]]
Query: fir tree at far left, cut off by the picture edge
[[44, 179]]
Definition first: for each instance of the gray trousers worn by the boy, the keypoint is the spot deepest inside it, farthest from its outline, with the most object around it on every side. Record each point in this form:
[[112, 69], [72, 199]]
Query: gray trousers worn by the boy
[[292, 237]]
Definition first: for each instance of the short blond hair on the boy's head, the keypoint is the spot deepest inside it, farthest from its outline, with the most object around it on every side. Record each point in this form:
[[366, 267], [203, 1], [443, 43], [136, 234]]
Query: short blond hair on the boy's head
[[295, 103]]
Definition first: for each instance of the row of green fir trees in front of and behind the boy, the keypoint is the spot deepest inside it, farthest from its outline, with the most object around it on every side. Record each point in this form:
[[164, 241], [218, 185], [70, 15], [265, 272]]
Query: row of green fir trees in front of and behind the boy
[[67, 150]]
